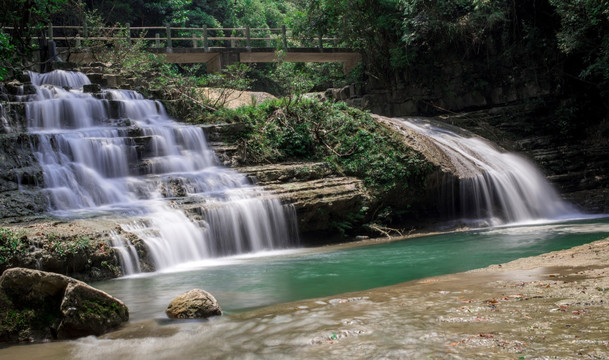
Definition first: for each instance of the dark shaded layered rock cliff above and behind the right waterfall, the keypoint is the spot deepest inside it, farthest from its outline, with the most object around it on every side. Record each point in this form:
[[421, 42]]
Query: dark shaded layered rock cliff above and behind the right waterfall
[[511, 116]]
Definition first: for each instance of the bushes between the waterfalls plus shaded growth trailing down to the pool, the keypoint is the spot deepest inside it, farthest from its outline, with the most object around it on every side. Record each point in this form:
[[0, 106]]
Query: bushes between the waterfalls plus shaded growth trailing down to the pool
[[350, 141]]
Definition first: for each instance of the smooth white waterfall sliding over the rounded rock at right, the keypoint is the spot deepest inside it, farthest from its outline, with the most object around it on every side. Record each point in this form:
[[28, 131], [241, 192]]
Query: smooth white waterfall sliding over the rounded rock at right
[[494, 186]]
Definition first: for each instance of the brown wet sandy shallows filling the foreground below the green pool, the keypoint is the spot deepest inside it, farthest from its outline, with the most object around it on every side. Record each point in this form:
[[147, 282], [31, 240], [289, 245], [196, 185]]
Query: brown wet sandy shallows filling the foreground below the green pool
[[544, 307]]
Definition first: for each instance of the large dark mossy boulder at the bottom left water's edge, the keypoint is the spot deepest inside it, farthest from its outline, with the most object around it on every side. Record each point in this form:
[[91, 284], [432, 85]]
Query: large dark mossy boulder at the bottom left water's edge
[[37, 305]]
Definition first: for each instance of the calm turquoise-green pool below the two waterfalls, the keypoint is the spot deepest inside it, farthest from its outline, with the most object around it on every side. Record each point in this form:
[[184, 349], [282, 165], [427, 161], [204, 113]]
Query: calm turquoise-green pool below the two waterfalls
[[244, 283]]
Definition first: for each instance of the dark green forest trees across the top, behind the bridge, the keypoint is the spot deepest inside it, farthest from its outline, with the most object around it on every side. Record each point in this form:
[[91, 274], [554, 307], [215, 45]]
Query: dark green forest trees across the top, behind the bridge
[[397, 37]]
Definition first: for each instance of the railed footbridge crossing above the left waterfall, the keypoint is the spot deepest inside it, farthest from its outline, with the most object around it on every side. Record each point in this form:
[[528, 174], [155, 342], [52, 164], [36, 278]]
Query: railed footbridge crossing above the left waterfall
[[215, 47]]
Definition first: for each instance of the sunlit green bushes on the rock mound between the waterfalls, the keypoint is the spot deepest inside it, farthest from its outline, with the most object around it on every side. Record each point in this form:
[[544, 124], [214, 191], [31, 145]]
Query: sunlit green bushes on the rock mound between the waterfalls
[[346, 138]]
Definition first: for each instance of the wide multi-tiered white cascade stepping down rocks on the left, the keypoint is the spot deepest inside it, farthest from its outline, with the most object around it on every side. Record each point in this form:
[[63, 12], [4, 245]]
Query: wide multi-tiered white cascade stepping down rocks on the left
[[119, 152]]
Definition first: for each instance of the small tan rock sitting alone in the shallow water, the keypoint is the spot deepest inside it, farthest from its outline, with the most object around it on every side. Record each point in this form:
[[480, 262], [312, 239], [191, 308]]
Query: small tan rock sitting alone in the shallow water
[[194, 304]]
